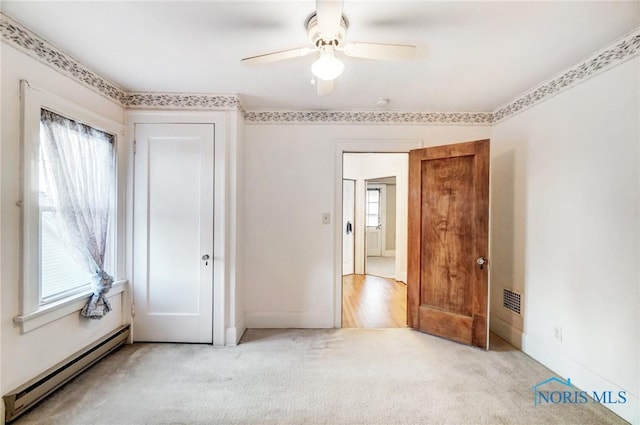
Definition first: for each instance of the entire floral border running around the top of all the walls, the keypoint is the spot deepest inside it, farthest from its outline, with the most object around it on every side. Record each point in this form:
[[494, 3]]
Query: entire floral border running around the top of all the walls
[[25, 40]]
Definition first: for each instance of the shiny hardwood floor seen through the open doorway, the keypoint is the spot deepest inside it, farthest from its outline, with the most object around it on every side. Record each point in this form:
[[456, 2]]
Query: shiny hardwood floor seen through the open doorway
[[373, 302]]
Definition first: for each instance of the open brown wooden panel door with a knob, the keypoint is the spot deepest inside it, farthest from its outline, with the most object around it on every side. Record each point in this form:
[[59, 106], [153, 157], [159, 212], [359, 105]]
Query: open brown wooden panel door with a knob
[[447, 287]]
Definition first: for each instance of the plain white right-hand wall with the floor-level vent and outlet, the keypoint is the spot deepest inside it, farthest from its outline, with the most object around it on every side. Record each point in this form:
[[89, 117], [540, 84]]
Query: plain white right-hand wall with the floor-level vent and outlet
[[565, 232]]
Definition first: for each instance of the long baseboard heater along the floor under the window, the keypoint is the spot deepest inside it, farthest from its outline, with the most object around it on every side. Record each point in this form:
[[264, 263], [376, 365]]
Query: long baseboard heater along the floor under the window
[[26, 396]]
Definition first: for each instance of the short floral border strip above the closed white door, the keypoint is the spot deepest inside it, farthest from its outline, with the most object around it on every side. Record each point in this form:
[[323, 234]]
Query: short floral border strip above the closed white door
[[135, 100]]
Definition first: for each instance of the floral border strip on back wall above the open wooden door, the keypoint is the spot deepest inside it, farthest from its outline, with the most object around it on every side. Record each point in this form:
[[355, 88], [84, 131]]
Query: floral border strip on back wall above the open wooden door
[[372, 117]]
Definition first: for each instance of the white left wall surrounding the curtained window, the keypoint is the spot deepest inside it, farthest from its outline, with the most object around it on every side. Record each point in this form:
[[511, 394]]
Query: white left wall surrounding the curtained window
[[26, 355]]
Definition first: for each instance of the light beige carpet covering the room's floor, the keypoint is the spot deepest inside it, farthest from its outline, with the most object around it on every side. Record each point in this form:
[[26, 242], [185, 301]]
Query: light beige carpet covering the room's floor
[[336, 376]]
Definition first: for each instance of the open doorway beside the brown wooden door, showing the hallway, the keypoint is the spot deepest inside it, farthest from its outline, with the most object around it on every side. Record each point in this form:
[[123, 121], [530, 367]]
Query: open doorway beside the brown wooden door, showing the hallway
[[373, 236]]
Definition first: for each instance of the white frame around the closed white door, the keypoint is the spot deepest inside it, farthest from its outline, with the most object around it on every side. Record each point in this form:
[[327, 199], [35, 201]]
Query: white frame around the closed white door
[[221, 264]]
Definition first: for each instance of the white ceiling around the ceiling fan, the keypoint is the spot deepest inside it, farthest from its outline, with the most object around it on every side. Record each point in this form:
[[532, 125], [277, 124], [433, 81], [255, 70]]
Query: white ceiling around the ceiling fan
[[472, 56]]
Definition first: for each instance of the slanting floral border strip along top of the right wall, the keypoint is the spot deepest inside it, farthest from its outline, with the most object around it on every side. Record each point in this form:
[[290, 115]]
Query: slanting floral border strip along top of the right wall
[[615, 54]]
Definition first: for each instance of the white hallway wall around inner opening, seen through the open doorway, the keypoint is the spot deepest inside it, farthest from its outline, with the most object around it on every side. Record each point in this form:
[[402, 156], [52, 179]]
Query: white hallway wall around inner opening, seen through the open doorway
[[361, 167]]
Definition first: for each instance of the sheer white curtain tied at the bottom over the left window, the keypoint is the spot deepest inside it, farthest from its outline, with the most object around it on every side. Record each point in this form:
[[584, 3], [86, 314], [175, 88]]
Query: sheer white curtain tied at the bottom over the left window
[[78, 166]]
